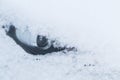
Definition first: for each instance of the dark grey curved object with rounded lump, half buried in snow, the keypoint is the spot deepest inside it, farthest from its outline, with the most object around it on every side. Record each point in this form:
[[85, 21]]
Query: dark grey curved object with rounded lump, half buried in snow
[[42, 41]]
